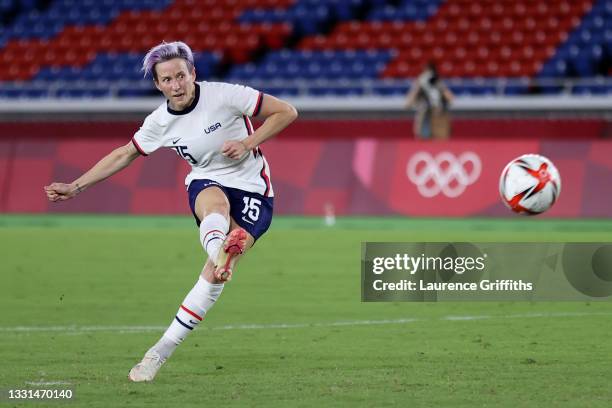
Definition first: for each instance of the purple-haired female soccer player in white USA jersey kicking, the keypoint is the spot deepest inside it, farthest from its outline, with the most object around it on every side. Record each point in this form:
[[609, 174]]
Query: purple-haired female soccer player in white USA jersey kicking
[[229, 189]]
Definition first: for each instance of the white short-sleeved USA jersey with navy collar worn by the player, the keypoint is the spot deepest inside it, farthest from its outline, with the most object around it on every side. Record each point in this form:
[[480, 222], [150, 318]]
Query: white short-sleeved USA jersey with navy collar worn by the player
[[218, 113]]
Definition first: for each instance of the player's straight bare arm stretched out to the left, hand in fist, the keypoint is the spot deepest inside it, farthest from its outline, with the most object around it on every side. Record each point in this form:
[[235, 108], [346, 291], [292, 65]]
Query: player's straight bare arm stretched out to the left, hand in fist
[[115, 161]]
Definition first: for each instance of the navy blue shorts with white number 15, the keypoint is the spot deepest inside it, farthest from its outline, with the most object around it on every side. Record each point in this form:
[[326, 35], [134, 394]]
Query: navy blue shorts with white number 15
[[251, 211]]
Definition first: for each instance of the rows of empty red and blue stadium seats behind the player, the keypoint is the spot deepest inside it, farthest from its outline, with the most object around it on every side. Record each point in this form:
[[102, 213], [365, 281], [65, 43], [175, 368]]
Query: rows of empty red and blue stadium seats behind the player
[[93, 48]]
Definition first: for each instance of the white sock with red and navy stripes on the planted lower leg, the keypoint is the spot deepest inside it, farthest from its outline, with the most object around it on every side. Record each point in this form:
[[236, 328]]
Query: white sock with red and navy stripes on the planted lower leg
[[197, 303]]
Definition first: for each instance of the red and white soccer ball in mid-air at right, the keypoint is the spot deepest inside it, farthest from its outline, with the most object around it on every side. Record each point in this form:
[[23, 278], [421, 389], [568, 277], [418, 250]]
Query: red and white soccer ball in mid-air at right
[[530, 184]]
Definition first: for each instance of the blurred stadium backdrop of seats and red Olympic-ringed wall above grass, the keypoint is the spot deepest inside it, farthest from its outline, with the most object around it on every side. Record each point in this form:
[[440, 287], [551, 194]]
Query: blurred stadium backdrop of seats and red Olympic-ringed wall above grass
[[530, 76]]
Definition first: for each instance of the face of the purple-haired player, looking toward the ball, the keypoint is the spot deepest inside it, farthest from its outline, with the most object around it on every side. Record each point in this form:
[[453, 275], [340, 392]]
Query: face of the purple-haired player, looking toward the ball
[[176, 82]]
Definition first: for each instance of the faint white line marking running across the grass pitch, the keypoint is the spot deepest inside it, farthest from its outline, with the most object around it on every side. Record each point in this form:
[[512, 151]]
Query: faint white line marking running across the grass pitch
[[76, 330]]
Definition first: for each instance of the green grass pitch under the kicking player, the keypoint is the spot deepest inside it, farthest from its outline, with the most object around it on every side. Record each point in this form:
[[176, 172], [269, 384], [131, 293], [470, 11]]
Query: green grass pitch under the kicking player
[[83, 297]]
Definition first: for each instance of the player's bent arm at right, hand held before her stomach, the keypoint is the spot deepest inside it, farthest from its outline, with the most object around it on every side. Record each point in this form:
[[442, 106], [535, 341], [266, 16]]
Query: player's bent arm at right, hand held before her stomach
[[278, 115]]
